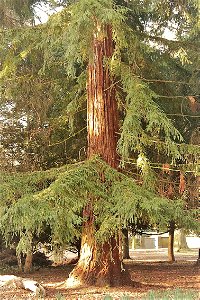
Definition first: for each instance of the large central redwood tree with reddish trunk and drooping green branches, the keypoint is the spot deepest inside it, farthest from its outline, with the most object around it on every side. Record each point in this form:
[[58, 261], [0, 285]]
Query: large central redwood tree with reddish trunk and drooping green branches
[[104, 39]]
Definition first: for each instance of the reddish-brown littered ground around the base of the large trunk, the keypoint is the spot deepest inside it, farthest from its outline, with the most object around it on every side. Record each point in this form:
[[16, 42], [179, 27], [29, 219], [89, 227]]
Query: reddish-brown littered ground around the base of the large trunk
[[149, 269]]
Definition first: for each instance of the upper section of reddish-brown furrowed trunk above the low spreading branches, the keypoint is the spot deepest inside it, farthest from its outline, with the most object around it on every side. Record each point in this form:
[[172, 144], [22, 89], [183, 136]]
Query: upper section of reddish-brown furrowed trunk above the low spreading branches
[[102, 112]]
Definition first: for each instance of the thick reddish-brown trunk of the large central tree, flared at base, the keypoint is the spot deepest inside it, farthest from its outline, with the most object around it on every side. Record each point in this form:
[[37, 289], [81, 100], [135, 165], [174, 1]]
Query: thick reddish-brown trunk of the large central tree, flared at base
[[99, 263]]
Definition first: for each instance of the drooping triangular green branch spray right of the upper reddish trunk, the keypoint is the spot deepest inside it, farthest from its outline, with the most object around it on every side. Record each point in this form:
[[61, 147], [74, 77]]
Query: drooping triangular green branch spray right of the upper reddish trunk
[[144, 118]]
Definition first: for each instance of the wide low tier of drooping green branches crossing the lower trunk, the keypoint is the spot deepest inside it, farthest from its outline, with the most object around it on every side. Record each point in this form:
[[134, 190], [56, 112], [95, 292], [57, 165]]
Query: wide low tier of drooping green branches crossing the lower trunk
[[59, 205]]
